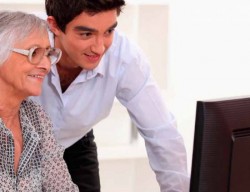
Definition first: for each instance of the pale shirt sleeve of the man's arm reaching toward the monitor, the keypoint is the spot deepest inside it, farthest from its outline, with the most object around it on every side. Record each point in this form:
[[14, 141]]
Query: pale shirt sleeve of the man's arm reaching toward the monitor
[[139, 93]]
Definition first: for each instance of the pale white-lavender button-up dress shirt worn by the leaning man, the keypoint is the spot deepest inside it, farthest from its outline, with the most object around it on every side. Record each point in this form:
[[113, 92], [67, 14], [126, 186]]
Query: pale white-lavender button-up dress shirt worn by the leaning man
[[123, 73]]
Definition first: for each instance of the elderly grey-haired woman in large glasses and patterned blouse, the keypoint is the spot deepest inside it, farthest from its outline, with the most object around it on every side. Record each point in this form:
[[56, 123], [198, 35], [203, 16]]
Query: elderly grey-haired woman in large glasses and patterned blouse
[[30, 158]]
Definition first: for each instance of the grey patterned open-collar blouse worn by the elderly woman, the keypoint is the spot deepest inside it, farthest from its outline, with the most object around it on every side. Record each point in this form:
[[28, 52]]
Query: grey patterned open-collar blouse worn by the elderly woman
[[41, 166]]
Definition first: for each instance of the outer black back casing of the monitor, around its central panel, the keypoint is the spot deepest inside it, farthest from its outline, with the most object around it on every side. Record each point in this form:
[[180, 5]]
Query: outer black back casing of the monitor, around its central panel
[[216, 121]]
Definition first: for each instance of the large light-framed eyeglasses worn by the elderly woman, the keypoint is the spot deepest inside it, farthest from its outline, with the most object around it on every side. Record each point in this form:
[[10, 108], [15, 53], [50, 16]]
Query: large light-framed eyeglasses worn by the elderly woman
[[35, 54]]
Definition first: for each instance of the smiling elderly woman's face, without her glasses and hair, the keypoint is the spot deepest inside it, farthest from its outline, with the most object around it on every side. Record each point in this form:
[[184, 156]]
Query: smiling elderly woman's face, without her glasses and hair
[[20, 78]]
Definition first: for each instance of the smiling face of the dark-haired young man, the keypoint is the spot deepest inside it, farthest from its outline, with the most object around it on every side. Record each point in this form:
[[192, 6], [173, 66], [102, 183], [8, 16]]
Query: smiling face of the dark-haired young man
[[86, 38]]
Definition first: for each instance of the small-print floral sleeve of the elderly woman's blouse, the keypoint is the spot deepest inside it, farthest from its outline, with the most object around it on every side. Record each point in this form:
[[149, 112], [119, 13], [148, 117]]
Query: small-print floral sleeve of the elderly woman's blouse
[[55, 175]]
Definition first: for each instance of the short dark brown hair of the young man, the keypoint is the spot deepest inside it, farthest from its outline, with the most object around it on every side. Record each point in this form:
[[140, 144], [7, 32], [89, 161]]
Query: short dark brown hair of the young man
[[65, 11]]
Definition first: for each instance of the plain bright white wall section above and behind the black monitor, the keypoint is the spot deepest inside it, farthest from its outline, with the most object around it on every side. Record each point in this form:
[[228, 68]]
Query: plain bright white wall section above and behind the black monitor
[[209, 55]]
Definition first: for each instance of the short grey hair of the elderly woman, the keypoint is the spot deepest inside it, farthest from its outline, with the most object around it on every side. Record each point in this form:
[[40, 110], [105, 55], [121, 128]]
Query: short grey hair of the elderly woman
[[14, 27]]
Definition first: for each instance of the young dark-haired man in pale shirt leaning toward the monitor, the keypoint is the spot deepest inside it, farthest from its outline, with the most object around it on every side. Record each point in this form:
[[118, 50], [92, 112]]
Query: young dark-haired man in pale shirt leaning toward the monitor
[[97, 65]]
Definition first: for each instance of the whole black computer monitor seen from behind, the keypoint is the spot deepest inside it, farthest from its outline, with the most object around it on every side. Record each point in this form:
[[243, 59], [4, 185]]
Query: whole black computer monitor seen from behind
[[221, 151]]
